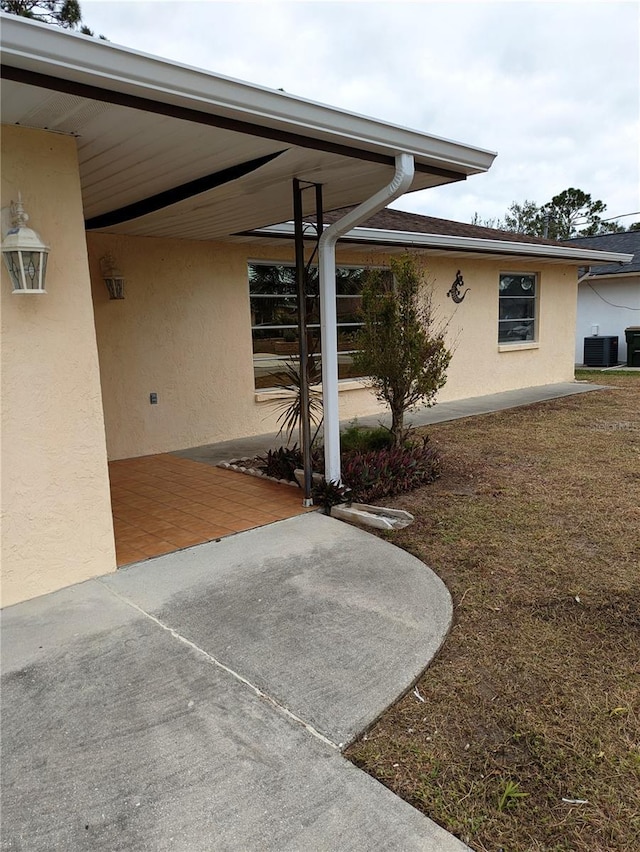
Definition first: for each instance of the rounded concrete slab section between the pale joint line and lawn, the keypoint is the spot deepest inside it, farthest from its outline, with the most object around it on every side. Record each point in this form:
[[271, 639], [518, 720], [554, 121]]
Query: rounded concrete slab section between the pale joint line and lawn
[[331, 622]]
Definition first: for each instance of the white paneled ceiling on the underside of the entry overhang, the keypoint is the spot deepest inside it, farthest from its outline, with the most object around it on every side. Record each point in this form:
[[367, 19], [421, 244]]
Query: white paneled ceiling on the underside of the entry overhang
[[127, 155]]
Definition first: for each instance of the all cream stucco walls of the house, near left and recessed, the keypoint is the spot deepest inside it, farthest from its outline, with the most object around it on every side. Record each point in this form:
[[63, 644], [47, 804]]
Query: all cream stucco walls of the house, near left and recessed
[[182, 332]]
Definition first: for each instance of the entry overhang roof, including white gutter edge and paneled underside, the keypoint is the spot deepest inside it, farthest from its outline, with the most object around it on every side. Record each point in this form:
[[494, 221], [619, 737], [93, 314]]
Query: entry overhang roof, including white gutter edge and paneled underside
[[168, 150]]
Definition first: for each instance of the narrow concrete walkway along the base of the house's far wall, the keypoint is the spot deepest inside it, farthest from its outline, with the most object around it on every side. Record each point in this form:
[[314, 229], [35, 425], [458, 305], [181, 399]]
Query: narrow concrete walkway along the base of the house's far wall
[[443, 411]]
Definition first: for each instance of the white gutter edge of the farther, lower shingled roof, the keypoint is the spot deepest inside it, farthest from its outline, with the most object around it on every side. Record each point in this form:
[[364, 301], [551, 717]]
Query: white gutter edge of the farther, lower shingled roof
[[476, 244]]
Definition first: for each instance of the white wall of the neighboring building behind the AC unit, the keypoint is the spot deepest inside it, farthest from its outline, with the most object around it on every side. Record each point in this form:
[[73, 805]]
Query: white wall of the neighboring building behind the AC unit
[[612, 304]]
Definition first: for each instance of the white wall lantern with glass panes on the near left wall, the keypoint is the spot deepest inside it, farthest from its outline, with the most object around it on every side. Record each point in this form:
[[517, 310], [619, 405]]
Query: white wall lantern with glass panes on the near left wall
[[24, 253]]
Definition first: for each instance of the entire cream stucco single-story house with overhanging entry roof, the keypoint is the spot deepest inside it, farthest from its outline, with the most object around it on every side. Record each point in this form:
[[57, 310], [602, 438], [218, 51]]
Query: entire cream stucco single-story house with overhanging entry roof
[[178, 175]]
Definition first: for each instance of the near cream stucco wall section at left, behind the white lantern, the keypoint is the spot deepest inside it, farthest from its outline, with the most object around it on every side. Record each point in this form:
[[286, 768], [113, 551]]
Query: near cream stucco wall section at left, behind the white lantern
[[56, 513]]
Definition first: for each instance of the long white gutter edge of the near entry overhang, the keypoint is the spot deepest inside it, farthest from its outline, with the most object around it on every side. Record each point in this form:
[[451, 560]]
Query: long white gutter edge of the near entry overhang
[[33, 46]]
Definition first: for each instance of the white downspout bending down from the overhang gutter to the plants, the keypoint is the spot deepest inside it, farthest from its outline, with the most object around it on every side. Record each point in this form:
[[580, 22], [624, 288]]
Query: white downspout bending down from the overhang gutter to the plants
[[328, 314]]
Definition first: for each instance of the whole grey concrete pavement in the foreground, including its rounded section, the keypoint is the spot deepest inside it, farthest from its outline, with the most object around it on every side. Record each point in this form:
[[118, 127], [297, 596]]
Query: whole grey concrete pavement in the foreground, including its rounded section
[[199, 701]]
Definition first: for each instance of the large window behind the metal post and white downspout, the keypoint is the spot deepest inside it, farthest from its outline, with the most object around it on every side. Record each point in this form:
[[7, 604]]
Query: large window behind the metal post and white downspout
[[274, 319]]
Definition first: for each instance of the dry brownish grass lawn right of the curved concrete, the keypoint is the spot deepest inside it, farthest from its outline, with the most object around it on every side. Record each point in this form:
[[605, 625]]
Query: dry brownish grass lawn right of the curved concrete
[[535, 697]]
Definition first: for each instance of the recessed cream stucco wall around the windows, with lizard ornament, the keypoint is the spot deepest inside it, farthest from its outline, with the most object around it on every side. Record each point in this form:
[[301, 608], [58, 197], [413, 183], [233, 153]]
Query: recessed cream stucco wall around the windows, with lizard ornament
[[184, 332]]
